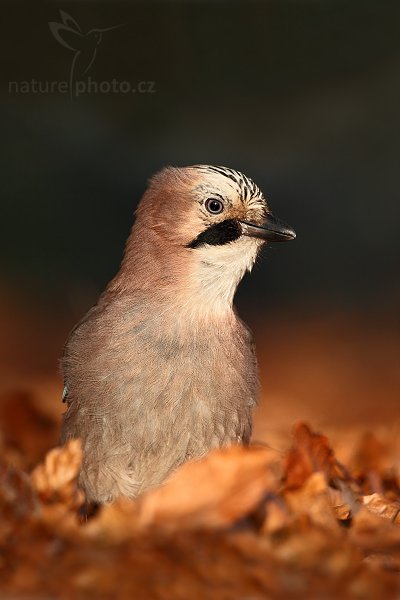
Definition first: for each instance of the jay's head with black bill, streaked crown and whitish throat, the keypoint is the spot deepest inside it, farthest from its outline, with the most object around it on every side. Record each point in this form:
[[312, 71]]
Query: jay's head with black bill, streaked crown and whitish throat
[[211, 222]]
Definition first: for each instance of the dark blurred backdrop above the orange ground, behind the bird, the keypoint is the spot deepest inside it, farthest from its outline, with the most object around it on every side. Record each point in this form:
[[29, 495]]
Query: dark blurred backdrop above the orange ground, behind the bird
[[303, 96]]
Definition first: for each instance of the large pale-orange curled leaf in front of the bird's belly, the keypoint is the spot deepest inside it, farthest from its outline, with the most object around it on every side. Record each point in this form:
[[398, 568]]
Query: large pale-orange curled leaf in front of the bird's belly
[[216, 491]]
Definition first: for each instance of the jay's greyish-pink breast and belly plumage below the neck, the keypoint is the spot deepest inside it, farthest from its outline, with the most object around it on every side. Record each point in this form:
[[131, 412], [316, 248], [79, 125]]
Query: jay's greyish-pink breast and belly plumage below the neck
[[152, 400]]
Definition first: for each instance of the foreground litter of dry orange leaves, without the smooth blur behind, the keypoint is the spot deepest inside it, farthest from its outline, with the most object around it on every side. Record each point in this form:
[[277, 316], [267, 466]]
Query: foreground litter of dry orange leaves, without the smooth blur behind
[[241, 523]]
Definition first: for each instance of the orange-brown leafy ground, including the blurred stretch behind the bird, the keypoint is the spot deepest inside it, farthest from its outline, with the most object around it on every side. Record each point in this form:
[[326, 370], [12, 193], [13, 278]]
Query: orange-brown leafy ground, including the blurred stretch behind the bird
[[311, 511]]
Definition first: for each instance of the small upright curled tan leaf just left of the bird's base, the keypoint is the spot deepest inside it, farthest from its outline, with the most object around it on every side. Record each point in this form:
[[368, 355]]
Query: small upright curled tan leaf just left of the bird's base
[[55, 479]]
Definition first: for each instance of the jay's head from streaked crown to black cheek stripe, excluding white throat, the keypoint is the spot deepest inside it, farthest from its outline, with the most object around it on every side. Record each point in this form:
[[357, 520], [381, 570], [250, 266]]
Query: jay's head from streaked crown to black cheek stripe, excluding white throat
[[208, 207]]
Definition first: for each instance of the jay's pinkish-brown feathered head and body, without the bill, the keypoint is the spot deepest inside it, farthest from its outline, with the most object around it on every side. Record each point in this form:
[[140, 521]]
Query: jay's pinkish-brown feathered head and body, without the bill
[[162, 369]]
